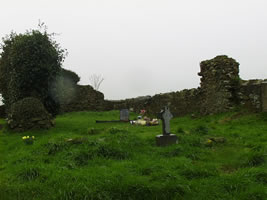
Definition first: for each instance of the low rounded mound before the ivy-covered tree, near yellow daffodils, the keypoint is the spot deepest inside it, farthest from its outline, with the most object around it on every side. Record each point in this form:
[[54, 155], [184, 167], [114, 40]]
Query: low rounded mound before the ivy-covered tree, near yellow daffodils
[[29, 113]]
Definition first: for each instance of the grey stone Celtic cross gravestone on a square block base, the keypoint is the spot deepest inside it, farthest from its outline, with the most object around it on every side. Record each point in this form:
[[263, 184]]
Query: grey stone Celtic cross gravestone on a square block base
[[166, 138]]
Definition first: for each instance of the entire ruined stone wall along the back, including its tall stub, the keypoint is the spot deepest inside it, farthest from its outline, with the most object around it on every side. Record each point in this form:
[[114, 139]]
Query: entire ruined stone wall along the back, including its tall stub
[[220, 90]]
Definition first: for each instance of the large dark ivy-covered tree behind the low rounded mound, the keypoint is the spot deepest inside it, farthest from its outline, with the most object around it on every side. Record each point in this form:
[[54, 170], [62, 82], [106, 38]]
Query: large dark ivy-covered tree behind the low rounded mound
[[29, 65]]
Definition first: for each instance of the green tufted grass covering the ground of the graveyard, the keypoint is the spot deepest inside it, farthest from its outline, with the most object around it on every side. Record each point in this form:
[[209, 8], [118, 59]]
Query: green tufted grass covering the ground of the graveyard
[[79, 159]]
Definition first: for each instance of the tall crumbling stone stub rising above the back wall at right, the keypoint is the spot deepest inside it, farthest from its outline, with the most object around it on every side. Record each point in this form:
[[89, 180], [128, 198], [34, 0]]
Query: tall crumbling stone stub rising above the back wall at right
[[219, 84]]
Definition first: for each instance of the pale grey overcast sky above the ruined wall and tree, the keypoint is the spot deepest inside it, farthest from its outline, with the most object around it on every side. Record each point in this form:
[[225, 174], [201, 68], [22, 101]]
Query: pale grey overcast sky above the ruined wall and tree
[[145, 47]]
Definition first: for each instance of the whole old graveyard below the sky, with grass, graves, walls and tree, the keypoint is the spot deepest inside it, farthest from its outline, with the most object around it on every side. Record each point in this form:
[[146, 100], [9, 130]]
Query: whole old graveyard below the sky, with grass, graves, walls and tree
[[63, 140]]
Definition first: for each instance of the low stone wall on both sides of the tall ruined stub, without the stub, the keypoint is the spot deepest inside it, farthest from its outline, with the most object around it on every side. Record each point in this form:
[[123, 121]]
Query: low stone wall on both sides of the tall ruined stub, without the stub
[[190, 101]]
